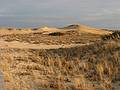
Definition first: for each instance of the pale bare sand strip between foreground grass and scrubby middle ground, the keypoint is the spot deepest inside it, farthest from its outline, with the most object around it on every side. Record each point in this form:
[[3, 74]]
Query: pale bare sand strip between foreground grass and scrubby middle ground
[[21, 45]]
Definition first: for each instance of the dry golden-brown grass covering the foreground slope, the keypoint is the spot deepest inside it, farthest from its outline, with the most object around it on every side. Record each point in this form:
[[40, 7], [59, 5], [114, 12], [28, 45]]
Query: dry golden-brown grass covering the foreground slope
[[93, 67]]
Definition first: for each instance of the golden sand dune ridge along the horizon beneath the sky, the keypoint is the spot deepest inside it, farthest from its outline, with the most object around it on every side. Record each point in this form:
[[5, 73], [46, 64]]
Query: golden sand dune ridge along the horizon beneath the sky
[[47, 30]]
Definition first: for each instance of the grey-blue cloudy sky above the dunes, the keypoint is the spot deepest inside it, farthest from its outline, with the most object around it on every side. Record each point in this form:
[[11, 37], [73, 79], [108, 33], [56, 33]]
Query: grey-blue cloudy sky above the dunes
[[35, 13]]
